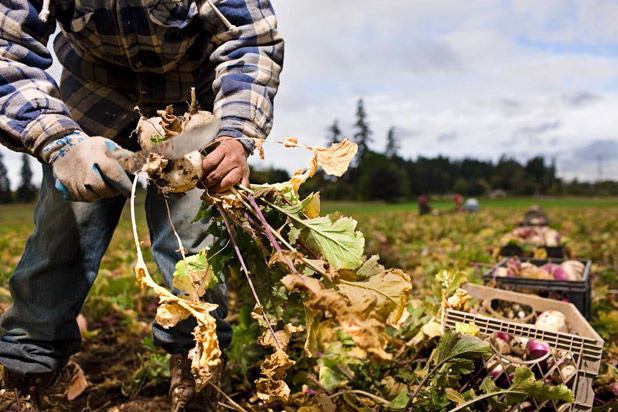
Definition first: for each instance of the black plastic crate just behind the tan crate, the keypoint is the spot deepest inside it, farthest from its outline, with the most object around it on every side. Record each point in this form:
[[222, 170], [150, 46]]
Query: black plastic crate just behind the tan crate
[[576, 292]]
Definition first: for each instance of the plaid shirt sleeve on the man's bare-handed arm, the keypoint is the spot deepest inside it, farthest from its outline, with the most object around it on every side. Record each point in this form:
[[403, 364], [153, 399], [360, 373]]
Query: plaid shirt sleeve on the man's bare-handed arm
[[247, 69]]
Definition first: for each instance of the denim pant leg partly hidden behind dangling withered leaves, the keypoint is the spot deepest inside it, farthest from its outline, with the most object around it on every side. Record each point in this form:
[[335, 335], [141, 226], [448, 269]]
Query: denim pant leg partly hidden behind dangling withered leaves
[[164, 250]]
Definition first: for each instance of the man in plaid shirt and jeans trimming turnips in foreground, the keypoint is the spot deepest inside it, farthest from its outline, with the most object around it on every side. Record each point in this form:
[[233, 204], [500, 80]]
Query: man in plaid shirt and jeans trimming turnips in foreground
[[117, 55]]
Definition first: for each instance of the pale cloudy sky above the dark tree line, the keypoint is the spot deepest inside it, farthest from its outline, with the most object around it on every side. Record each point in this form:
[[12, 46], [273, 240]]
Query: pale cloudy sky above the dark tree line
[[476, 79]]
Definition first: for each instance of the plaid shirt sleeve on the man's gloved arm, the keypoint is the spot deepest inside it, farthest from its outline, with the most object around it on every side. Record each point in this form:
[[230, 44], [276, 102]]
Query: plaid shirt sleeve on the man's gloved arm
[[31, 114]]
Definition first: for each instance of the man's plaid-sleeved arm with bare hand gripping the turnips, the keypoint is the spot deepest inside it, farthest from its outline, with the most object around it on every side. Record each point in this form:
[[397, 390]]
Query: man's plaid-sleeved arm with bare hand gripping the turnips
[[248, 58]]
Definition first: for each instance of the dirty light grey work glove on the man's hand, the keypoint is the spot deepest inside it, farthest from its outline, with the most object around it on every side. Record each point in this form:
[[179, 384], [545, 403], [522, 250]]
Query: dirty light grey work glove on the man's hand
[[86, 168]]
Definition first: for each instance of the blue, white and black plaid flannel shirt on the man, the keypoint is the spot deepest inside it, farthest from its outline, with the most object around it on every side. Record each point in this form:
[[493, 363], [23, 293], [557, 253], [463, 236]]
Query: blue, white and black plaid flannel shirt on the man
[[118, 54]]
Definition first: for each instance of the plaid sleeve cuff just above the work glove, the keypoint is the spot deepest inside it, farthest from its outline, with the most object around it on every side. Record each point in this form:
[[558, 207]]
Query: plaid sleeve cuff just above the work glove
[[42, 133]]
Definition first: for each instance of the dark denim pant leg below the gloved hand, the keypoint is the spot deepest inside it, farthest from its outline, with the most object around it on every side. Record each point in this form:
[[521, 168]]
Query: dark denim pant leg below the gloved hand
[[53, 277]]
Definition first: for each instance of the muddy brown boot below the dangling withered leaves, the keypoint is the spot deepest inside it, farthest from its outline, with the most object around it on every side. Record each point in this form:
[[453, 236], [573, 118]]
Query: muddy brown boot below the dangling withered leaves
[[182, 388]]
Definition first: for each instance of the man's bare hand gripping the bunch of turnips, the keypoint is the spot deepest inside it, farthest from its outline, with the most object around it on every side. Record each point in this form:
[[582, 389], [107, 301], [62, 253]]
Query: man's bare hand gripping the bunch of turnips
[[225, 166]]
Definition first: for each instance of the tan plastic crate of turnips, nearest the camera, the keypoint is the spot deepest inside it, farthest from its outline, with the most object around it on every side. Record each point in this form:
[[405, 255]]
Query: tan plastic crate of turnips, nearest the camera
[[584, 345]]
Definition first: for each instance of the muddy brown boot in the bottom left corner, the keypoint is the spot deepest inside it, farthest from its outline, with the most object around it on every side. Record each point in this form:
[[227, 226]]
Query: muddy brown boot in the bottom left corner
[[24, 393]]
